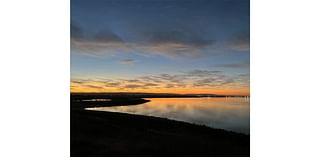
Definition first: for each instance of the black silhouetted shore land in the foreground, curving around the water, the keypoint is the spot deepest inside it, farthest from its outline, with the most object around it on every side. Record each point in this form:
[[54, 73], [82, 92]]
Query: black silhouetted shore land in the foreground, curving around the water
[[99, 134]]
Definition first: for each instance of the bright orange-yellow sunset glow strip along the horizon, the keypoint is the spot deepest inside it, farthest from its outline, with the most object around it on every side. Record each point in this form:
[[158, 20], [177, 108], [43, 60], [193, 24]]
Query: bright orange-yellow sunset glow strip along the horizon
[[135, 86]]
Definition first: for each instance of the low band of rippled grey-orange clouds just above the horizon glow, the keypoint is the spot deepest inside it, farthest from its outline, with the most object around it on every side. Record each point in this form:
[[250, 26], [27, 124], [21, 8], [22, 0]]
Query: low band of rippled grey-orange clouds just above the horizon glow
[[195, 79]]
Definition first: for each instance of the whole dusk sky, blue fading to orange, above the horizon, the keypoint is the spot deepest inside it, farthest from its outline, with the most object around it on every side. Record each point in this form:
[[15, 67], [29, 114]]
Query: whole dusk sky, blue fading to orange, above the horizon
[[160, 46]]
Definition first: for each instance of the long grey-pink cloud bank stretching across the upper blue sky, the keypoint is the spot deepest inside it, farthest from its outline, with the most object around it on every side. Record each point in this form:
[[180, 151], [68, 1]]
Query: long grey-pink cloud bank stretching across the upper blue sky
[[165, 43]]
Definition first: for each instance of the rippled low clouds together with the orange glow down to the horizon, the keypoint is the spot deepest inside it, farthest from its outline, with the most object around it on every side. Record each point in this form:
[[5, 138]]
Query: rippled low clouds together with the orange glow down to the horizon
[[192, 82]]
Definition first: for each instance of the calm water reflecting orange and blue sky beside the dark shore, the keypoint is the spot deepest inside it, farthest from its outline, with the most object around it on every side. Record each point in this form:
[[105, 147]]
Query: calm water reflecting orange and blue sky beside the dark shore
[[225, 113]]
